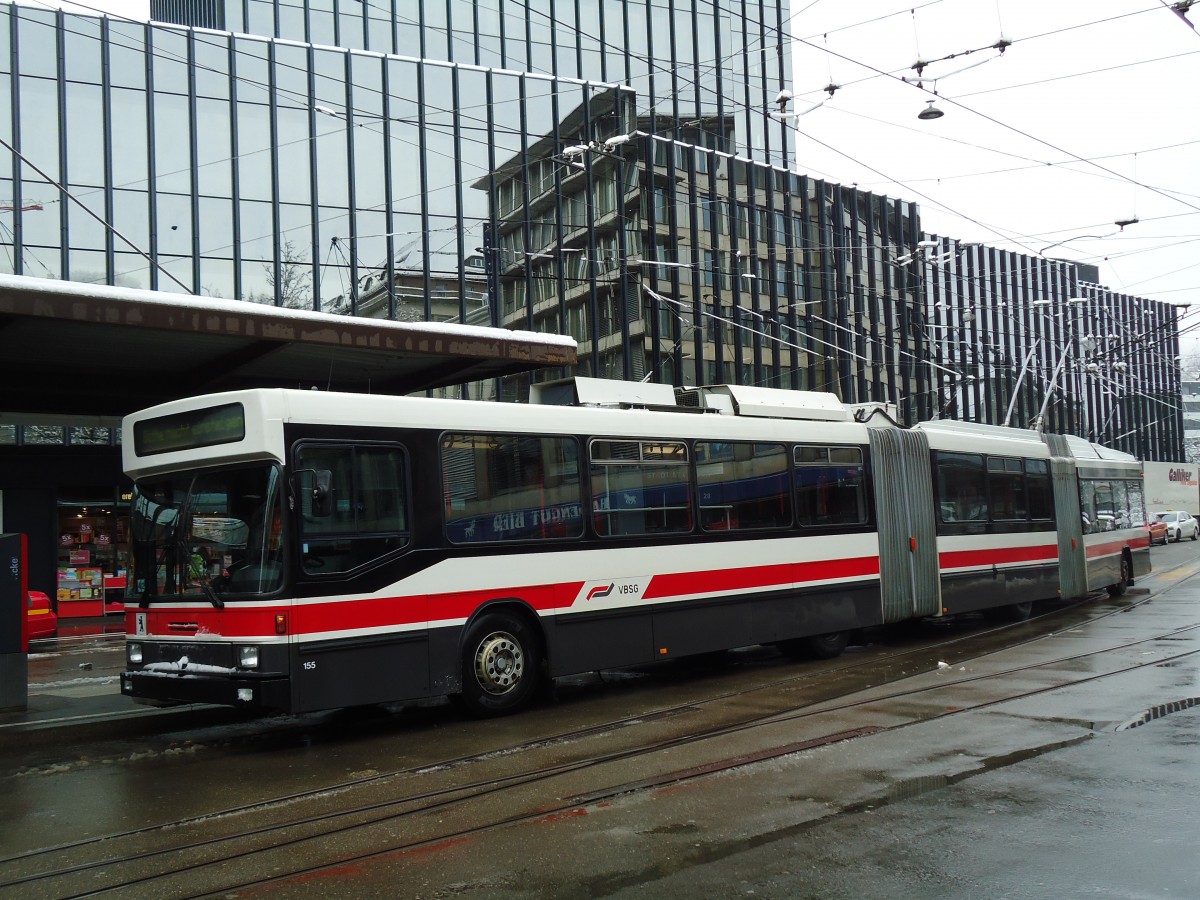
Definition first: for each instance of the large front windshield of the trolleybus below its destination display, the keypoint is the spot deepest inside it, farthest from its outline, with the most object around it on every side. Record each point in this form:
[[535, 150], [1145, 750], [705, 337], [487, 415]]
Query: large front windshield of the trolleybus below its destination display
[[214, 533]]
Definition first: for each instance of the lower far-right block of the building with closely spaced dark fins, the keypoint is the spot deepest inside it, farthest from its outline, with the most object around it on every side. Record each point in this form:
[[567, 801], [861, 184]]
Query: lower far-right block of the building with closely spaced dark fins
[[1019, 339]]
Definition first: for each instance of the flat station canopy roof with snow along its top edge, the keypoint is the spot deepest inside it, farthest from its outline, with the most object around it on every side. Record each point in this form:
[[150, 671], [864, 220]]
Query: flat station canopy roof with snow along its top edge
[[70, 350]]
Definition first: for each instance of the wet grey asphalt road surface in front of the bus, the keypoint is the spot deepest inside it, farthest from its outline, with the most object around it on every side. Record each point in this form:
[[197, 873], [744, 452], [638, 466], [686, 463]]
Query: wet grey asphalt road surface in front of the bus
[[949, 788]]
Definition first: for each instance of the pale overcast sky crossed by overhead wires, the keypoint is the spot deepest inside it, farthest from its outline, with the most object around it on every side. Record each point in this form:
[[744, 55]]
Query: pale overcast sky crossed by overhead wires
[[1089, 118]]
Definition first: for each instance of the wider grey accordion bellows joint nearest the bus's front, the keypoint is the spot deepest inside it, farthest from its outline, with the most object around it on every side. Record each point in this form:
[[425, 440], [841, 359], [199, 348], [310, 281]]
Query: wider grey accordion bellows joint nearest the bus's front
[[904, 503]]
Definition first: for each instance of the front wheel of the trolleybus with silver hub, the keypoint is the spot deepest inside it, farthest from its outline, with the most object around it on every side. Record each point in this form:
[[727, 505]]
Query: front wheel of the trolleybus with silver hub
[[501, 665]]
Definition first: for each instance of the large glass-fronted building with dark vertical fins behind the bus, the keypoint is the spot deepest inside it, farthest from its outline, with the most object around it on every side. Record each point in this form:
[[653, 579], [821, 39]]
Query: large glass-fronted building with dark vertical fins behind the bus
[[613, 170]]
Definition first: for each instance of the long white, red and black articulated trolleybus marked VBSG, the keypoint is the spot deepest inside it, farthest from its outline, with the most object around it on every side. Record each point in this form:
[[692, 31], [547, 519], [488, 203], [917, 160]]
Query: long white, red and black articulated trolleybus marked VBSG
[[301, 551]]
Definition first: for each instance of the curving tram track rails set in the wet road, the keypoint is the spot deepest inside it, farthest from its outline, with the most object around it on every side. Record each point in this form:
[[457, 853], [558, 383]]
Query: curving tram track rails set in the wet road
[[245, 845]]
